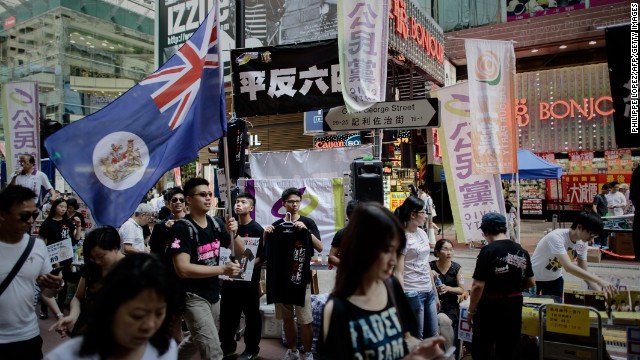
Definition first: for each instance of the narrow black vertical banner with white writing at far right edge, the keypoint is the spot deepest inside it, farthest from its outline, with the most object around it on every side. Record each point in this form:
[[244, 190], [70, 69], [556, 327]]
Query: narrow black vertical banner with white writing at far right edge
[[624, 87]]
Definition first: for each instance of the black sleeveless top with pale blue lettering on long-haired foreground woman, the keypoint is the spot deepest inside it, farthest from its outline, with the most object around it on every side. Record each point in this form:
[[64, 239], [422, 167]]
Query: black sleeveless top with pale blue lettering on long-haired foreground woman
[[356, 333]]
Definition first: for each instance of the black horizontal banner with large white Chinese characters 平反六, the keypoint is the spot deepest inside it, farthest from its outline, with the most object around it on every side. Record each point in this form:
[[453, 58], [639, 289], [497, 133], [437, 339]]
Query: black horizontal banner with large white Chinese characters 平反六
[[286, 79]]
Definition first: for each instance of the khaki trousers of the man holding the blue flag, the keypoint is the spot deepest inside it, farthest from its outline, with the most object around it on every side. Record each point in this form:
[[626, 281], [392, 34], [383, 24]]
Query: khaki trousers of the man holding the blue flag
[[200, 316]]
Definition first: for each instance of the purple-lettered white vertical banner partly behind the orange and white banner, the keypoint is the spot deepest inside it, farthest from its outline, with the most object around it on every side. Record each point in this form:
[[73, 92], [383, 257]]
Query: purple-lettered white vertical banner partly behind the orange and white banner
[[471, 195]]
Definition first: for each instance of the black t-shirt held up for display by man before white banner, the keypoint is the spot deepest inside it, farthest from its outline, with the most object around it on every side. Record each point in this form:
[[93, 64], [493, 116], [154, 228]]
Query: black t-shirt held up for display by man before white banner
[[289, 253]]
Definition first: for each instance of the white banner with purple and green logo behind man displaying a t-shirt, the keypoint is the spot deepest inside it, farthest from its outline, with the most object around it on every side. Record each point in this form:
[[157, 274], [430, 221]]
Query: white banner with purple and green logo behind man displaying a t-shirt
[[322, 201]]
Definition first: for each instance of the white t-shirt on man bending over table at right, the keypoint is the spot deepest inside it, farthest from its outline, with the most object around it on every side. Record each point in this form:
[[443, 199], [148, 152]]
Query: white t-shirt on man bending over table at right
[[546, 266]]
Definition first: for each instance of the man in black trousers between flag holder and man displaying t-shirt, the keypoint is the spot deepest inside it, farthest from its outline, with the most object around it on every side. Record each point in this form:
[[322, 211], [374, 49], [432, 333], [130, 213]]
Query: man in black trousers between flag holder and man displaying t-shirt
[[240, 297]]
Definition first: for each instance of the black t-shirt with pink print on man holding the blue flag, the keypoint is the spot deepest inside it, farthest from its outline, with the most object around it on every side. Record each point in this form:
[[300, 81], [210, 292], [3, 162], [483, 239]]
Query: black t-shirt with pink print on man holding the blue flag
[[204, 251]]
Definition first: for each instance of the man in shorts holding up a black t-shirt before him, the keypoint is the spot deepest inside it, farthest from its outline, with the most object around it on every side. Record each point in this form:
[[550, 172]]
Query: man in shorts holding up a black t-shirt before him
[[290, 246]]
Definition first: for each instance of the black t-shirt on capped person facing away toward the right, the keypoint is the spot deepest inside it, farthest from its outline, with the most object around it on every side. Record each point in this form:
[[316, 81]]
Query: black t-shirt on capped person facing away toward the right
[[503, 265]]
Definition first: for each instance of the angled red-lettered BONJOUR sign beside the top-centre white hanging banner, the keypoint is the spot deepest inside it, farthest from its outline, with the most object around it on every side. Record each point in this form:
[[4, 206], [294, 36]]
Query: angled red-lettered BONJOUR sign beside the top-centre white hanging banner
[[416, 36]]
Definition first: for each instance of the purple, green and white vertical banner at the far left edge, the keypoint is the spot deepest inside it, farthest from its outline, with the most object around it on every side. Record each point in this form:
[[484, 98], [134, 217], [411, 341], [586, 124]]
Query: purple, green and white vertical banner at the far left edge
[[21, 122]]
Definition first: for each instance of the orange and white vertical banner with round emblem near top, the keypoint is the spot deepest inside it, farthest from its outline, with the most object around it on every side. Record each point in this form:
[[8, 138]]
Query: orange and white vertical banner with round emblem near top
[[492, 68]]
